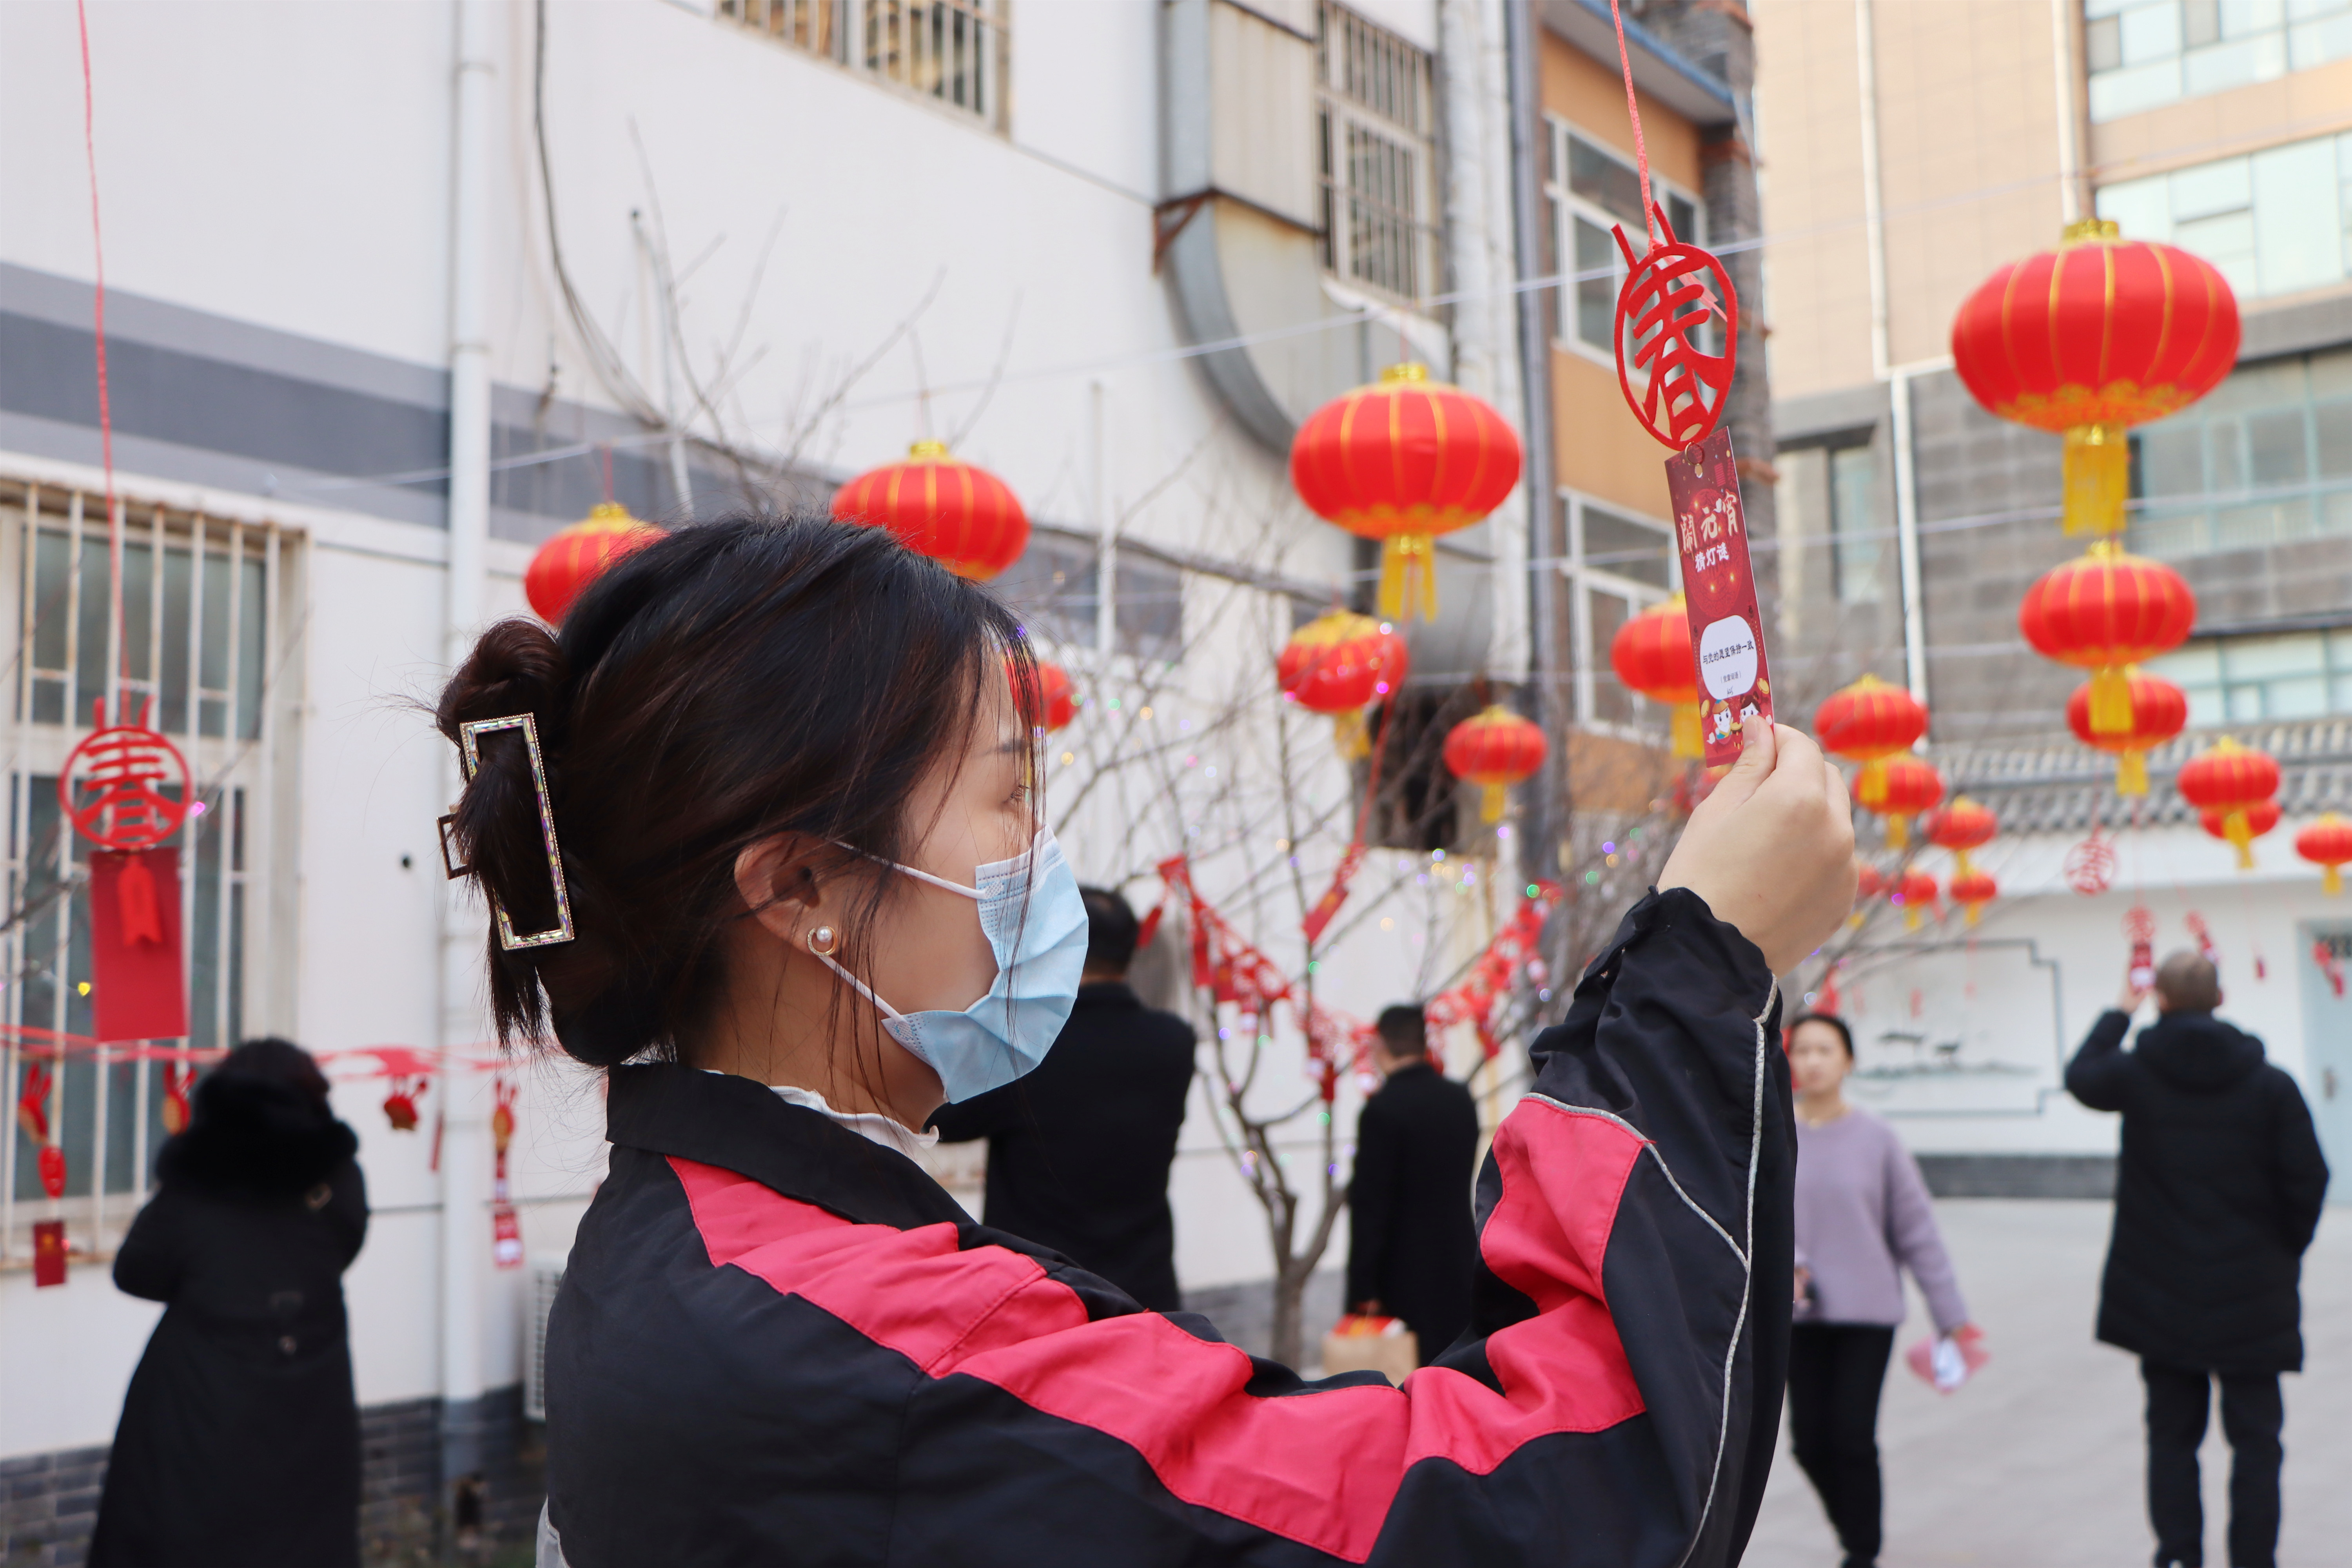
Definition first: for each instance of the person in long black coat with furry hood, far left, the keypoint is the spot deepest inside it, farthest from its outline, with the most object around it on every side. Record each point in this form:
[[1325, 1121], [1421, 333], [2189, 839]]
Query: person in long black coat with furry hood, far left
[[241, 1433]]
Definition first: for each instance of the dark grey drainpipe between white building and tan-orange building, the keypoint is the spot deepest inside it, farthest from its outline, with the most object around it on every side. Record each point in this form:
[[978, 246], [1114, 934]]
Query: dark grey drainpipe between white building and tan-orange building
[[1549, 805]]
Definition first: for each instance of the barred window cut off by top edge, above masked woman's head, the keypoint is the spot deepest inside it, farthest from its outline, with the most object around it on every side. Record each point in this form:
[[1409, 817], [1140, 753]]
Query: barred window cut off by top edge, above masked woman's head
[[947, 51]]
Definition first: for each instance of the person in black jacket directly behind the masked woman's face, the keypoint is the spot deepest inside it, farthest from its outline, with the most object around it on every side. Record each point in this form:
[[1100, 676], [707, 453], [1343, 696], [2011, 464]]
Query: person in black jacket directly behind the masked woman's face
[[1081, 1151]]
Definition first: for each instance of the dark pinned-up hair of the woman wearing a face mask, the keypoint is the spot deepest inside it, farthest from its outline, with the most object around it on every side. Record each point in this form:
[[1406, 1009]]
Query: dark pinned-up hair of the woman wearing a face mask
[[735, 681]]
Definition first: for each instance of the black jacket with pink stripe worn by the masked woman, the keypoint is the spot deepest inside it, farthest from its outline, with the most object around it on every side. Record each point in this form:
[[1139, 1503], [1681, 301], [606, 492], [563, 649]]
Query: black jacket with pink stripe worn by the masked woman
[[780, 1343]]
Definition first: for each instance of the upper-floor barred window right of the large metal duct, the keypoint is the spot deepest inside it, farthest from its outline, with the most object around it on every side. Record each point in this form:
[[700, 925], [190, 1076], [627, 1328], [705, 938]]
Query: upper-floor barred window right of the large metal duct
[[1375, 156]]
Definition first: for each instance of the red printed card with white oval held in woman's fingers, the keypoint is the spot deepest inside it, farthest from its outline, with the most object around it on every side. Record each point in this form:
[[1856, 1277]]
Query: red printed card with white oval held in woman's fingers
[[1728, 636]]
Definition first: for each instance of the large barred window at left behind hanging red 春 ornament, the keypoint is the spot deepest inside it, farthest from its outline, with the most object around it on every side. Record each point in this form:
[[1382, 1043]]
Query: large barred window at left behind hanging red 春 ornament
[[201, 652]]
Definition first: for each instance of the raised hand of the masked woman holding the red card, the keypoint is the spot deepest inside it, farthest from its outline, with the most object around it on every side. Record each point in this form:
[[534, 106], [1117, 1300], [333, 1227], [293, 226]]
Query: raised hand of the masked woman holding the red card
[[1772, 847]]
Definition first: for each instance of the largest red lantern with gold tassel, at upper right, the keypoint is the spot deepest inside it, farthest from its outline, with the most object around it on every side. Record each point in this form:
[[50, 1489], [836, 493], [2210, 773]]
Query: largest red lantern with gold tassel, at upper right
[[2090, 340]]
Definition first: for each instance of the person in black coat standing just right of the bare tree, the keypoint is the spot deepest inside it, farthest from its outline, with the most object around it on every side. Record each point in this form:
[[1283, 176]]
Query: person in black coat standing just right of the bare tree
[[1412, 1242]]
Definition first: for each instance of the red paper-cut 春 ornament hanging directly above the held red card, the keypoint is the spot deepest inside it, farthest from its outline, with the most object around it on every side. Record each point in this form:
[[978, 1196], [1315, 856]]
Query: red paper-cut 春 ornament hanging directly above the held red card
[[1666, 300]]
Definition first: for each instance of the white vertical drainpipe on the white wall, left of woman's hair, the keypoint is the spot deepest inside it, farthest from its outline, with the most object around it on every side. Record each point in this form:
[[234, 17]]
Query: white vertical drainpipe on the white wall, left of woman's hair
[[462, 1125]]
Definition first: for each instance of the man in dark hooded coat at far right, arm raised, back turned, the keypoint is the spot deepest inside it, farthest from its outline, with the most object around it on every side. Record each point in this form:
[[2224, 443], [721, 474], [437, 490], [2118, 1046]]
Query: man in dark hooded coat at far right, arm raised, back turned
[[2217, 1198]]
